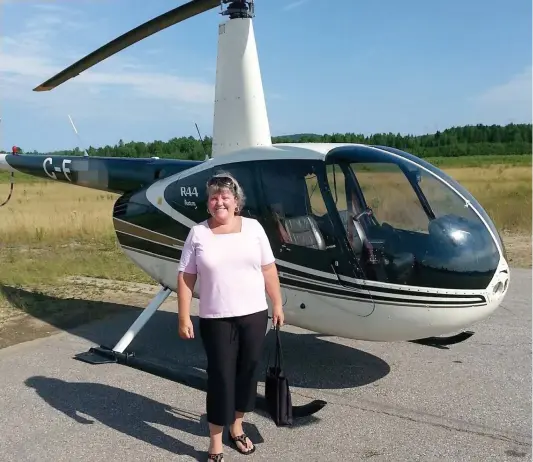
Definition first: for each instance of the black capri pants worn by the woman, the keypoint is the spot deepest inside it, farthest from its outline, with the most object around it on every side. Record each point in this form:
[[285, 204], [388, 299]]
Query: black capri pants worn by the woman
[[233, 347]]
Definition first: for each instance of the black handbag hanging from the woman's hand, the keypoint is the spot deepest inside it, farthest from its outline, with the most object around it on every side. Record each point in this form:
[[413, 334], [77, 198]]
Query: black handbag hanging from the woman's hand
[[277, 390]]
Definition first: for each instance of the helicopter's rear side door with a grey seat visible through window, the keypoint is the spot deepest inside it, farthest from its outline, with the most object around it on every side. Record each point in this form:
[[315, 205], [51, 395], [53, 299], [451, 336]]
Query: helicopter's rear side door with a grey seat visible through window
[[311, 254]]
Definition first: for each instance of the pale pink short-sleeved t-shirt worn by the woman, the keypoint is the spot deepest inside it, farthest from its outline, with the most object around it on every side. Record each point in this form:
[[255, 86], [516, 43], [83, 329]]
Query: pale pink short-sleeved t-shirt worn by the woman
[[228, 268]]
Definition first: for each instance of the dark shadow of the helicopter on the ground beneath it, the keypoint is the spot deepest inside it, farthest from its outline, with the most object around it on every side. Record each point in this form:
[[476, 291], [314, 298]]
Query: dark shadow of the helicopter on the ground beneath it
[[309, 361]]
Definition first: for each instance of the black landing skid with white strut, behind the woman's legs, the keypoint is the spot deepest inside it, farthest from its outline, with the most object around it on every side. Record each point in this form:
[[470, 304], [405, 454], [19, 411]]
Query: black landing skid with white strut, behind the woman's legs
[[118, 355]]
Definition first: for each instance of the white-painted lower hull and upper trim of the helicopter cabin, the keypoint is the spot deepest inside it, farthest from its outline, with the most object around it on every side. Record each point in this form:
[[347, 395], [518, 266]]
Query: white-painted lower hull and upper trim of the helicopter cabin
[[410, 312]]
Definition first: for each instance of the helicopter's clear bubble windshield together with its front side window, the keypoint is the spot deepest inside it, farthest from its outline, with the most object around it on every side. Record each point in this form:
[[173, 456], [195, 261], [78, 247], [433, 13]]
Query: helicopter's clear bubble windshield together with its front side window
[[406, 225]]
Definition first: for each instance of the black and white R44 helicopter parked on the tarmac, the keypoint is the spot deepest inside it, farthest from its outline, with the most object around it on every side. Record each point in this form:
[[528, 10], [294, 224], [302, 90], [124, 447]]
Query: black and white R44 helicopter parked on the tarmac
[[371, 242]]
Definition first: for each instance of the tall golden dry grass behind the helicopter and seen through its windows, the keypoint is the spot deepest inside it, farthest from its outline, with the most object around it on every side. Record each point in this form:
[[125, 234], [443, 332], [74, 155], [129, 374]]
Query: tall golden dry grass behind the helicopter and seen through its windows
[[49, 213]]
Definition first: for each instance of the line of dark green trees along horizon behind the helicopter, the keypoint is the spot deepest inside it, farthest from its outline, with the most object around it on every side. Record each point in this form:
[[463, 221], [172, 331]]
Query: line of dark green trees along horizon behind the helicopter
[[468, 140]]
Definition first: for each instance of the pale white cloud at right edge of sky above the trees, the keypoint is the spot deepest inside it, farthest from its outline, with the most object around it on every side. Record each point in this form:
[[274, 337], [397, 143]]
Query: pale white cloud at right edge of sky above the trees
[[509, 101]]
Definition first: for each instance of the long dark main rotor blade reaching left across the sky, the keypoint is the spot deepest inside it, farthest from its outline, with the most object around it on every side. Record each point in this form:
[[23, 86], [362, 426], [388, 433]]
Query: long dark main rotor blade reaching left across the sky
[[186, 11]]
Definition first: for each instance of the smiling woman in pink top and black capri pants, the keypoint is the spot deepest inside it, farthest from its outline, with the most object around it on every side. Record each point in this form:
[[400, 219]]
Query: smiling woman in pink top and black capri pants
[[232, 257]]
